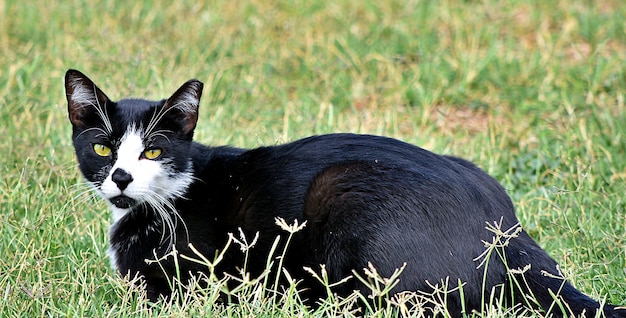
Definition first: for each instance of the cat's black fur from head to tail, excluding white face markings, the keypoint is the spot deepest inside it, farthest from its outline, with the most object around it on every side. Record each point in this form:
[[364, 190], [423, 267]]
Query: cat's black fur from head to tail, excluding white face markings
[[364, 198]]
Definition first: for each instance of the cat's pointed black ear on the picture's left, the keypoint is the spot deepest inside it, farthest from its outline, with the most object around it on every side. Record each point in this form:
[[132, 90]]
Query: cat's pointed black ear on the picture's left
[[83, 97]]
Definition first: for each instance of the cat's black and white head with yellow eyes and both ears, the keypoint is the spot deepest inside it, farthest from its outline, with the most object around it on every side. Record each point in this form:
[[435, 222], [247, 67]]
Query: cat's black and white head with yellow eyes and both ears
[[133, 151]]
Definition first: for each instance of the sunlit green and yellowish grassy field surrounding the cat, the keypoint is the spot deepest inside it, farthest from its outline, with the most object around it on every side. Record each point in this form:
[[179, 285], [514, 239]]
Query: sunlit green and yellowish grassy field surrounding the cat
[[532, 91]]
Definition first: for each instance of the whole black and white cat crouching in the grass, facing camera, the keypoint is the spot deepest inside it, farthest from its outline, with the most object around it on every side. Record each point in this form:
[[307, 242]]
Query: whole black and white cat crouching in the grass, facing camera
[[364, 199]]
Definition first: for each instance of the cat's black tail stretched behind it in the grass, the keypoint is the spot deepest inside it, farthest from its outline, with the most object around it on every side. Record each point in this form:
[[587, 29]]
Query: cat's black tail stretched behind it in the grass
[[542, 284]]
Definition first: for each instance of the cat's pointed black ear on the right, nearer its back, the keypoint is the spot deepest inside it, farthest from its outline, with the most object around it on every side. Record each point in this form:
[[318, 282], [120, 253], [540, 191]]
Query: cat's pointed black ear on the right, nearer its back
[[184, 105]]
